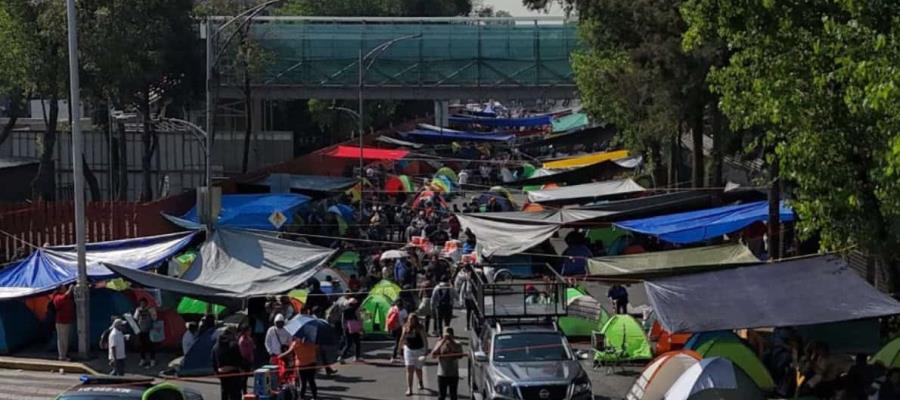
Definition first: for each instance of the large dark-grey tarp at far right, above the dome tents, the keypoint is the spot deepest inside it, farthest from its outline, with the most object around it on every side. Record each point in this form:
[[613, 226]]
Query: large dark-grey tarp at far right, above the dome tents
[[804, 291]]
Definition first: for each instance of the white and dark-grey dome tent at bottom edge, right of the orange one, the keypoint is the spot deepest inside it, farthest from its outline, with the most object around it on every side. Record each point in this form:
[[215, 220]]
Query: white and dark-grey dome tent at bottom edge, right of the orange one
[[713, 378]]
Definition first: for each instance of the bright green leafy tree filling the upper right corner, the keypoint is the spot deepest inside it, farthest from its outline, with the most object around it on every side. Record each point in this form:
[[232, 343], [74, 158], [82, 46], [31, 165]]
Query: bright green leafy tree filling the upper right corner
[[820, 79]]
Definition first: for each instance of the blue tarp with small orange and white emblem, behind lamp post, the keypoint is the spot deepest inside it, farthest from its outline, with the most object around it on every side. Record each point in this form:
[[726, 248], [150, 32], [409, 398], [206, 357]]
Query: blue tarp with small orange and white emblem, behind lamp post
[[249, 211]]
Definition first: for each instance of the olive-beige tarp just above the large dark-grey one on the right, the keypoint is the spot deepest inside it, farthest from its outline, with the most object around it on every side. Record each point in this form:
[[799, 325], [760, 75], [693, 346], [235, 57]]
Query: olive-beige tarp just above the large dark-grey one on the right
[[681, 261]]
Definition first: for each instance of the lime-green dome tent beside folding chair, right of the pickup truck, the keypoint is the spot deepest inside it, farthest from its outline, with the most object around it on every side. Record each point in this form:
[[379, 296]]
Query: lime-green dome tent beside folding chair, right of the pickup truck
[[623, 340]]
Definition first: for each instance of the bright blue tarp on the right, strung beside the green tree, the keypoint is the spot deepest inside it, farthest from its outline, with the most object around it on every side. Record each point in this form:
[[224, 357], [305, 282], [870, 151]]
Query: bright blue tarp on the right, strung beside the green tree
[[698, 226]]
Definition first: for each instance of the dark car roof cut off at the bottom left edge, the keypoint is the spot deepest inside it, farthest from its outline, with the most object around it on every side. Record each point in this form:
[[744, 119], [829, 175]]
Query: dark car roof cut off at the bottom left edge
[[123, 388]]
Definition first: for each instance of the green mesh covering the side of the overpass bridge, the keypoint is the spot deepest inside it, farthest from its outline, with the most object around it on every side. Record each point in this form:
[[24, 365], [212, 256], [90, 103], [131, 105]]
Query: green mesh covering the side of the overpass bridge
[[450, 52]]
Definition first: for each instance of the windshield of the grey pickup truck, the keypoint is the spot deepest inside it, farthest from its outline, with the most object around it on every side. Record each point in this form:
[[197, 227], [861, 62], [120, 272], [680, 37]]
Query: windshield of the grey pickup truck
[[530, 347]]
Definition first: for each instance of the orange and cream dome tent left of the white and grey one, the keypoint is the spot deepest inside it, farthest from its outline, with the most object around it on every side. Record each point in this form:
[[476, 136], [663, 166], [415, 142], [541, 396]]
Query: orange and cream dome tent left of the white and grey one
[[660, 374]]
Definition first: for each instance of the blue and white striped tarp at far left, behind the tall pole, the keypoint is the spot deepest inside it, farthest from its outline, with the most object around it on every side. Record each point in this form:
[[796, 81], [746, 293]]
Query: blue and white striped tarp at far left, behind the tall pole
[[51, 267]]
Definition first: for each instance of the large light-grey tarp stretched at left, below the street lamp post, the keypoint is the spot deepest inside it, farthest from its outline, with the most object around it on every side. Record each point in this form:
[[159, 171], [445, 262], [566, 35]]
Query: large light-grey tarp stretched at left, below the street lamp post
[[238, 265]]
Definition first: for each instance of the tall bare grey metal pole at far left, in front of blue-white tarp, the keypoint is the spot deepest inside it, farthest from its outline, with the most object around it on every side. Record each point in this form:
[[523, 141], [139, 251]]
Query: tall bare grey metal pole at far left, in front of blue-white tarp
[[81, 295]]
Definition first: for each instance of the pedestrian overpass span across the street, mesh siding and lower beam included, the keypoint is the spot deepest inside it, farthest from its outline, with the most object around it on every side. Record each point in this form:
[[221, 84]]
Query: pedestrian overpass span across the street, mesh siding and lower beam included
[[436, 59]]
